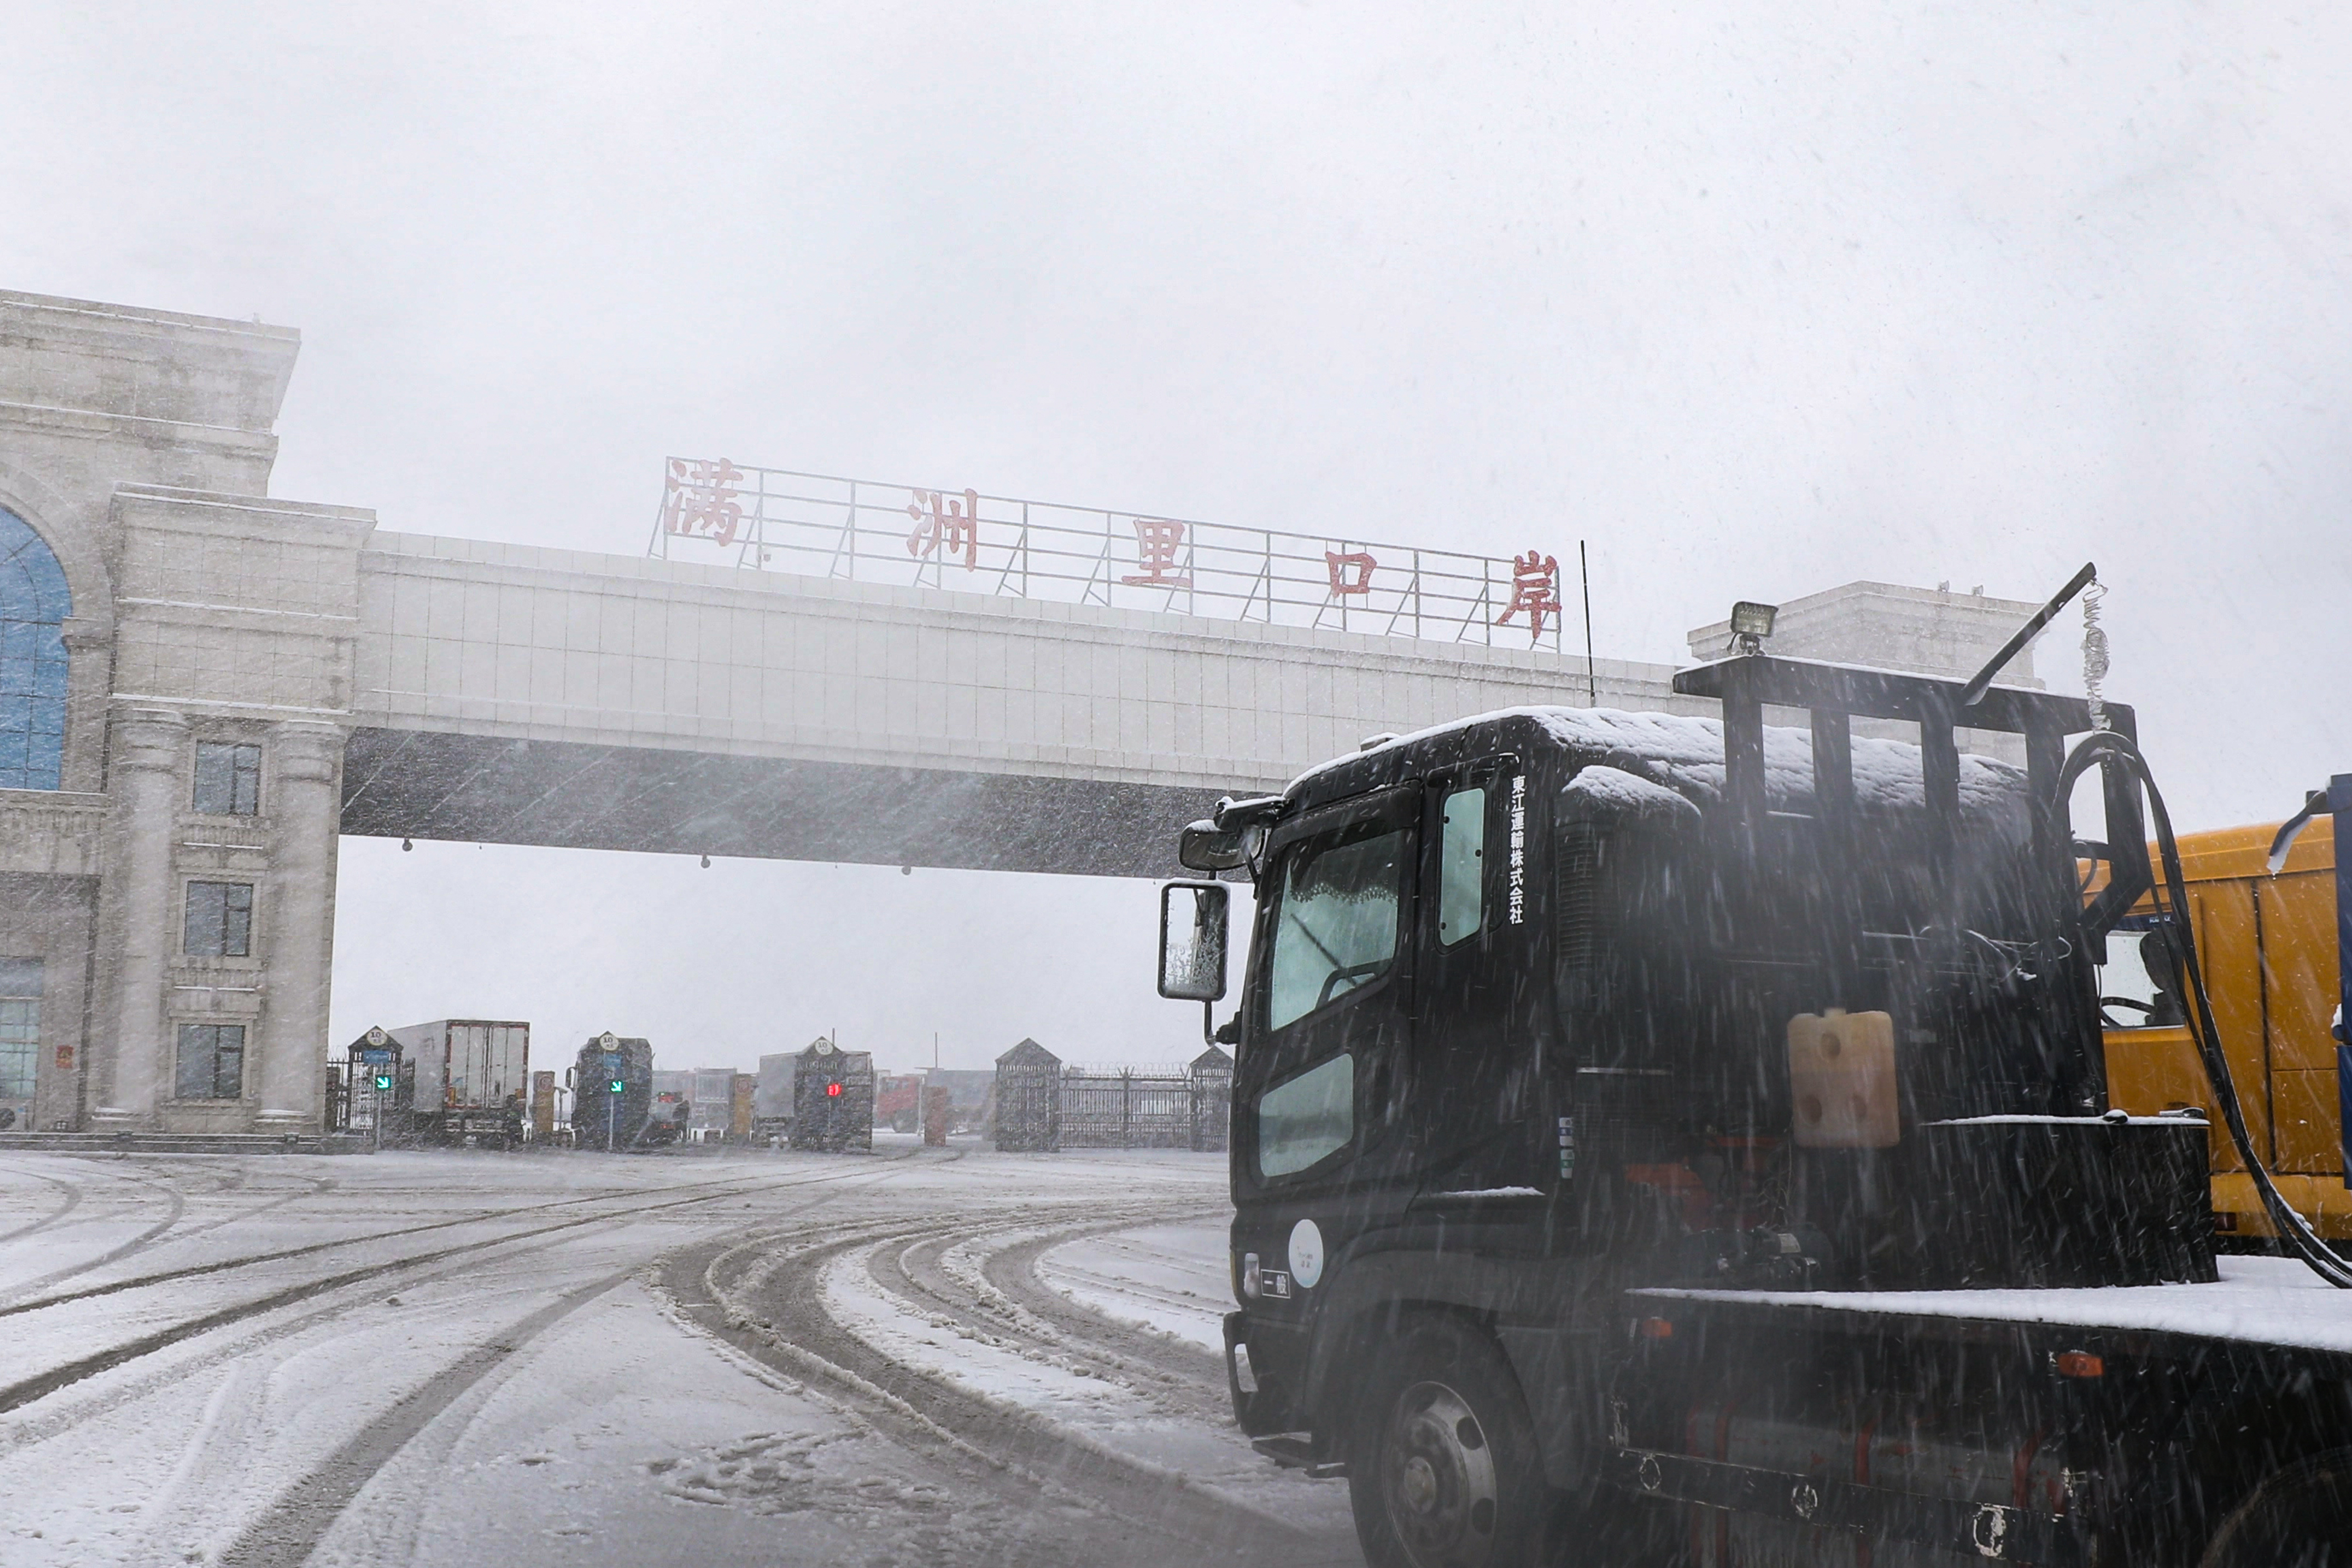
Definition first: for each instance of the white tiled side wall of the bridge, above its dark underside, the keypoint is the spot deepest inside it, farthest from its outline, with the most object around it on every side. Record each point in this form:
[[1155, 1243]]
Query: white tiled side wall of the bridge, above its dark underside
[[620, 650]]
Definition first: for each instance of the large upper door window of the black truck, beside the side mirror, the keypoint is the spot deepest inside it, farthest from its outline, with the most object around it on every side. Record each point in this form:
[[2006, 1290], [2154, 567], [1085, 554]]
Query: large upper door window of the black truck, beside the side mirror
[[1335, 920]]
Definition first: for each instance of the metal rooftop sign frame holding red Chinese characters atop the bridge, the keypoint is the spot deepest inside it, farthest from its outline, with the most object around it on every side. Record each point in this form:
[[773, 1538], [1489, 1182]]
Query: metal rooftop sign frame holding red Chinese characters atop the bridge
[[860, 530]]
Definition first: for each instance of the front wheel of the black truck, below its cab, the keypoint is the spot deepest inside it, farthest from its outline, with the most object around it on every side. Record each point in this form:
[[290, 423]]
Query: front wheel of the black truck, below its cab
[[1443, 1468]]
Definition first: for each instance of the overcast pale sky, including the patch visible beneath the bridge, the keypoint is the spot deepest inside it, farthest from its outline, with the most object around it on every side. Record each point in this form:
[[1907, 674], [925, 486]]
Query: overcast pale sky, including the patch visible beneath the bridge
[[1758, 300]]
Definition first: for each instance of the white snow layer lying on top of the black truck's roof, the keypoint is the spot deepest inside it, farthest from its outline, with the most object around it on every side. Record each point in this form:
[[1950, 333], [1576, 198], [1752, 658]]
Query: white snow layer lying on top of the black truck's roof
[[1688, 756]]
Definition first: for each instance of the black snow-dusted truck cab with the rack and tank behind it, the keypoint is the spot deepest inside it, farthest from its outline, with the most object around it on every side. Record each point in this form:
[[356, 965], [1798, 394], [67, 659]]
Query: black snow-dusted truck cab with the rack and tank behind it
[[1558, 1005]]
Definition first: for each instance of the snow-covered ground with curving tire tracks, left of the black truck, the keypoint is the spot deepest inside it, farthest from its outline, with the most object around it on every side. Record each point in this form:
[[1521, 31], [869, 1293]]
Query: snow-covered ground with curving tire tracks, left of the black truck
[[911, 1358]]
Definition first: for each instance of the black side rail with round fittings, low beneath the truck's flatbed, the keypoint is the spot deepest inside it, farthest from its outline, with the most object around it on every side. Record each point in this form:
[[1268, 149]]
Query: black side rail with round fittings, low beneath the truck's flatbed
[[1991, 1532]]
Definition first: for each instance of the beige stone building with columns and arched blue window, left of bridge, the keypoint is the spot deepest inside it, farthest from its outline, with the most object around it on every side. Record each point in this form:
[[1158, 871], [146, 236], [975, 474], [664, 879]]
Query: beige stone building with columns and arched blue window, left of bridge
[[175, 690]]
